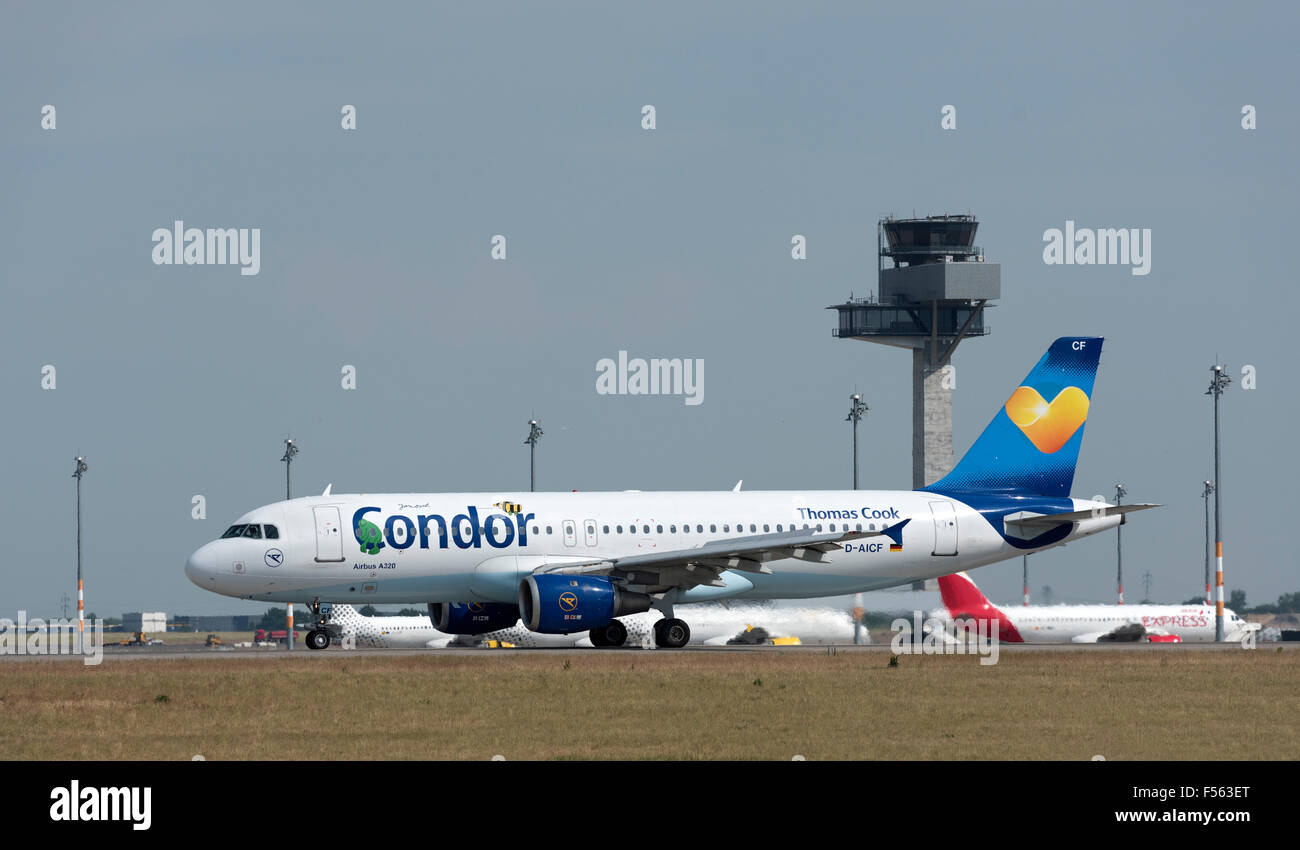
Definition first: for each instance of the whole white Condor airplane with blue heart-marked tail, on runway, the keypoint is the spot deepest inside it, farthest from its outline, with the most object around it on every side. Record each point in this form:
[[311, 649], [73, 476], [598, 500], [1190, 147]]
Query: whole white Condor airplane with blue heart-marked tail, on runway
[[578, 562]]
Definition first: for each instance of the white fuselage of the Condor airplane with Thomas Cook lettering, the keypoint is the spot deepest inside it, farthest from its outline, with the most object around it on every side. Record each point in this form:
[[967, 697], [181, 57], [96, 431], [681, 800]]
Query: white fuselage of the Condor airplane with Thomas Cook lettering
[[462, 548]]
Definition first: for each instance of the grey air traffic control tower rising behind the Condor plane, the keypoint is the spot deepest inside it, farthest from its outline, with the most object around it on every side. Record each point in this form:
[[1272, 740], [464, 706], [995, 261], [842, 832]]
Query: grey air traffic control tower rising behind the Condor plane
[[931, 300]]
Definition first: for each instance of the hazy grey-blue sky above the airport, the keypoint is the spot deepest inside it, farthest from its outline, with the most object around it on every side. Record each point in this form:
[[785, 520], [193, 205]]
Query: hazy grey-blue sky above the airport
[[484, 120]]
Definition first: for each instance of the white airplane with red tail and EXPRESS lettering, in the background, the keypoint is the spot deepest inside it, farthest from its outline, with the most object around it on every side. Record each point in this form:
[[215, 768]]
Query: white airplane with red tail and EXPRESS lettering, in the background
[[1089, 625]]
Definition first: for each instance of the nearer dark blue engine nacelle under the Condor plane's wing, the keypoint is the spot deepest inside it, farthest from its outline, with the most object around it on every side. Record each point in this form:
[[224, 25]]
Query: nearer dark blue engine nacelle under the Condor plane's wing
[[562, 605]]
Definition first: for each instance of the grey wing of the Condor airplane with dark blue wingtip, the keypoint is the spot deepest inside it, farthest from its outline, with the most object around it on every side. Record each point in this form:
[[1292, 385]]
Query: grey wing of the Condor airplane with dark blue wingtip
[[705, 563]]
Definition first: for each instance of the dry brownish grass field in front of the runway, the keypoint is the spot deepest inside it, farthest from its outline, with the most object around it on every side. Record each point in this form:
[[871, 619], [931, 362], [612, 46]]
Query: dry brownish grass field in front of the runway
[[765, 705]]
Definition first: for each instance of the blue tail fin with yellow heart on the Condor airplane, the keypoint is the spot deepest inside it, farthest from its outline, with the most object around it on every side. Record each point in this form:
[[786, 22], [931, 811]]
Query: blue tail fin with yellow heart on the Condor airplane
[[1033, 444]]
